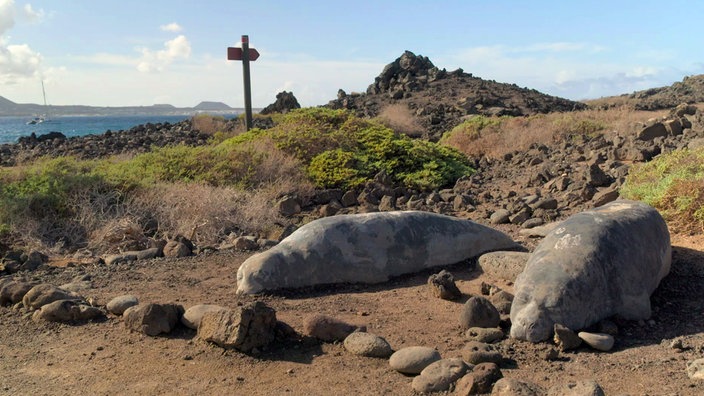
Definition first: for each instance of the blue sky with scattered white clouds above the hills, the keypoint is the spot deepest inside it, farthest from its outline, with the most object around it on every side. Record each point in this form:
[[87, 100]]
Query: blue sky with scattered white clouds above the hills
[[144, 52]]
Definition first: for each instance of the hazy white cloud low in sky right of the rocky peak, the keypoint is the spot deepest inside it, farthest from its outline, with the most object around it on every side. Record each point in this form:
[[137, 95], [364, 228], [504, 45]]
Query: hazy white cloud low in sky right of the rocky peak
[[565, 69]]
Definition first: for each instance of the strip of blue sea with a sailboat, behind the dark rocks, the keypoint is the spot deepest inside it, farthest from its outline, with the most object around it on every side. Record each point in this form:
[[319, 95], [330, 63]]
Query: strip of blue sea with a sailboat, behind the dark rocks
[[12, 128]]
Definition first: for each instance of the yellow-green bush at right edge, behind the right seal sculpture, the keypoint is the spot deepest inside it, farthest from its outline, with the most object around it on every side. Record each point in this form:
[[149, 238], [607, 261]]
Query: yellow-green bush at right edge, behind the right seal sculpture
[[674, 184]]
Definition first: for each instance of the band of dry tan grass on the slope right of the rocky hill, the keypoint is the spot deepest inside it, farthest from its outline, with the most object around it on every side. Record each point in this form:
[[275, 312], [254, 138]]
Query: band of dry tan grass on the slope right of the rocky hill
[[519, 133]]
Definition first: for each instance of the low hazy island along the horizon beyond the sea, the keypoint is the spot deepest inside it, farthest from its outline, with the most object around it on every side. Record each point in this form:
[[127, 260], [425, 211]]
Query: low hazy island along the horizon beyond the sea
[[10, 108]]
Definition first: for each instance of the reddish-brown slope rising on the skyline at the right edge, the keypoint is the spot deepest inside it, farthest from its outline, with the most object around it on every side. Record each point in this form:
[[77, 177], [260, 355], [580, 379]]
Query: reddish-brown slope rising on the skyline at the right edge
[[689, 90]]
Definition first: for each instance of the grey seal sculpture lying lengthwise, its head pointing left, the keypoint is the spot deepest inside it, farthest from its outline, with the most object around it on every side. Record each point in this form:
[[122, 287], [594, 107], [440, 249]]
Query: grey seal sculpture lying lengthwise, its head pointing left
[[367, 248]]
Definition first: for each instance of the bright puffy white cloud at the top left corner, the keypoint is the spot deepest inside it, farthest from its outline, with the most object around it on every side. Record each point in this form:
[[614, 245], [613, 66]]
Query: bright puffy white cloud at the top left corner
[[17, 62]]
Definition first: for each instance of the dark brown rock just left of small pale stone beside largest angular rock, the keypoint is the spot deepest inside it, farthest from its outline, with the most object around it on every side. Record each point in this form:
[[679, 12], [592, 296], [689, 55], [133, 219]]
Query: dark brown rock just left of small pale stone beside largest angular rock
[[152, 319]]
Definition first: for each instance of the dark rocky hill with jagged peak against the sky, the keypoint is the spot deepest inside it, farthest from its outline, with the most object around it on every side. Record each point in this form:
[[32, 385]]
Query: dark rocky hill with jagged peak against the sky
[[440, 99]]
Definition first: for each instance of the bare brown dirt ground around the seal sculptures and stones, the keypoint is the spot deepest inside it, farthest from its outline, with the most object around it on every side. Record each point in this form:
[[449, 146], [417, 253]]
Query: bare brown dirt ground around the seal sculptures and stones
[[103, 358]]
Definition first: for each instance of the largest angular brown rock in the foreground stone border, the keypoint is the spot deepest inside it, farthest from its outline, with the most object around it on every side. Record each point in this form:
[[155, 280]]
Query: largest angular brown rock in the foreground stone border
[[246, 328]]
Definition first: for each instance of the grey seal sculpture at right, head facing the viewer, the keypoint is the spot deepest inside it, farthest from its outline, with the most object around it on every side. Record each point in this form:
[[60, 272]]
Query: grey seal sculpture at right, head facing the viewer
[[596, 264]]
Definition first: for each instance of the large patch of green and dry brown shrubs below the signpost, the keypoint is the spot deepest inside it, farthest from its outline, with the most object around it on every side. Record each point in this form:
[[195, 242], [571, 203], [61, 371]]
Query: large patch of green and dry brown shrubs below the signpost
[[209, 191]]
